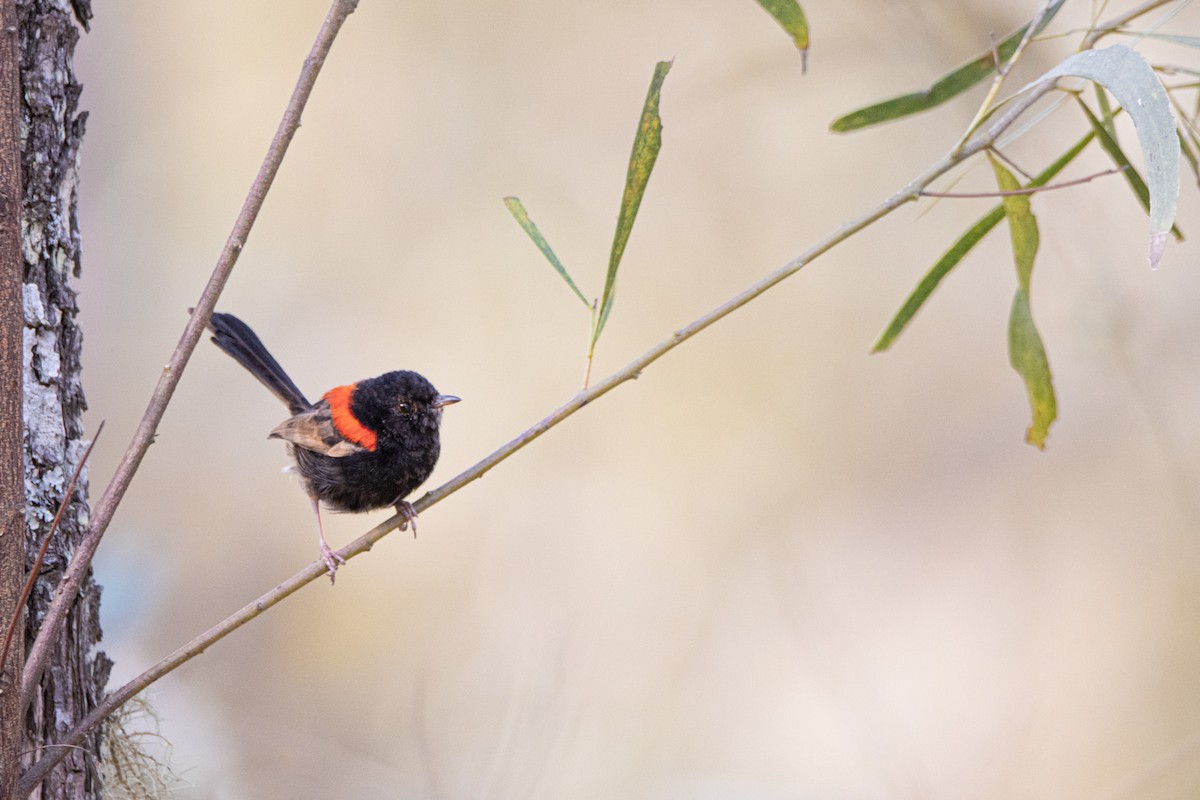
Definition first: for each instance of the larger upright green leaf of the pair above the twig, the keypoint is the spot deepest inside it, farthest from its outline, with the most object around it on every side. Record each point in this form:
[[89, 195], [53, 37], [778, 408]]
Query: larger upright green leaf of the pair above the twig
[[641, 164]]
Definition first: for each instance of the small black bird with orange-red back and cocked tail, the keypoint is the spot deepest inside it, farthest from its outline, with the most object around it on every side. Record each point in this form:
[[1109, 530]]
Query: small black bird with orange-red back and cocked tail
[[362, 447]]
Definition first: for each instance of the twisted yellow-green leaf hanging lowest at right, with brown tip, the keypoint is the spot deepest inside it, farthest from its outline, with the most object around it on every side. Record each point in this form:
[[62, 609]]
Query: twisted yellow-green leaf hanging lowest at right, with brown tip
[[1025, 350]]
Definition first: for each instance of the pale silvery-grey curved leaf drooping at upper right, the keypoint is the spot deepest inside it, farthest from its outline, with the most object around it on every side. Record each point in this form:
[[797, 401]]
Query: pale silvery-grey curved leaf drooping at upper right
[[1133, 82]]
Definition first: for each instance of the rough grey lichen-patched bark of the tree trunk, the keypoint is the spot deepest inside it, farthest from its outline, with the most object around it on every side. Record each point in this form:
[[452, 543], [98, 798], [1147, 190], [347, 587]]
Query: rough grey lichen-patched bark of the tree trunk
[[52, 130]]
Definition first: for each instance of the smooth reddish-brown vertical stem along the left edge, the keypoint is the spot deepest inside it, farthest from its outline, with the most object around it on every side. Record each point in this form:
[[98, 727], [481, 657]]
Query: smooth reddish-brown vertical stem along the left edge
[[13, 318]]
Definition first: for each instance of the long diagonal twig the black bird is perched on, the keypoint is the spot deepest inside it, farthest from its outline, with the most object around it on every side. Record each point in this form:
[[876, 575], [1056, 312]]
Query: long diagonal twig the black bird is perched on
[[911, 193]]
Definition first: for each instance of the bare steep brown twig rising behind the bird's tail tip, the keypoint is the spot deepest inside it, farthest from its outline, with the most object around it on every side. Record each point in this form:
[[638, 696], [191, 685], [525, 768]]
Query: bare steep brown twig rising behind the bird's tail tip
[[143, 438]]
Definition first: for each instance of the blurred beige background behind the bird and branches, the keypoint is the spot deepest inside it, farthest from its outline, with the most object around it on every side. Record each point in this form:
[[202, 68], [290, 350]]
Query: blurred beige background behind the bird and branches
[[775, 567]]
